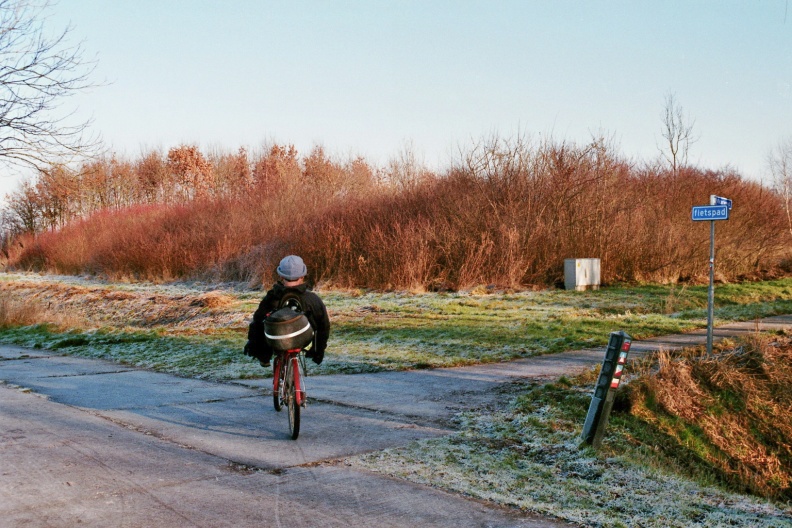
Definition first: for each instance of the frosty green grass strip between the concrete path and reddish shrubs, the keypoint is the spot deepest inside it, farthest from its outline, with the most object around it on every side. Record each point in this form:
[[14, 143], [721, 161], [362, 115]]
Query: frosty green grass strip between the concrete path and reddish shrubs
[[384, 331]]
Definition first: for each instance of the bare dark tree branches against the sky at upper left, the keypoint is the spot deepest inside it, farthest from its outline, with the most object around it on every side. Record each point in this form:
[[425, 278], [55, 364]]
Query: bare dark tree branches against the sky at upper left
[[37, 72]]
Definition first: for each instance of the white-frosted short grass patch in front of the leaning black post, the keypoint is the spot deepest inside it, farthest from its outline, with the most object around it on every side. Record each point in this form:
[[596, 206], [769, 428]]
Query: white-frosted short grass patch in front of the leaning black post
[[534, 462]]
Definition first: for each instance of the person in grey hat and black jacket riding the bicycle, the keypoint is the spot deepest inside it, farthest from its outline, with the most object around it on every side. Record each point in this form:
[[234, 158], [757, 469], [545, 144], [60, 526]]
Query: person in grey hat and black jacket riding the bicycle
[[292, 271]]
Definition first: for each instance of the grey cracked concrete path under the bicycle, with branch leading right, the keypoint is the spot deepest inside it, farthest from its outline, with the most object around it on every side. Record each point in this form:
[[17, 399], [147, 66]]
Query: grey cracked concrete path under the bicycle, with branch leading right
[[93, 443]]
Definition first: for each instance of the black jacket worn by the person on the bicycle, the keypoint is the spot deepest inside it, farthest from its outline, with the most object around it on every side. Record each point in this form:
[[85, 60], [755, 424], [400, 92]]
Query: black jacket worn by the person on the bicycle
[[314, 309]]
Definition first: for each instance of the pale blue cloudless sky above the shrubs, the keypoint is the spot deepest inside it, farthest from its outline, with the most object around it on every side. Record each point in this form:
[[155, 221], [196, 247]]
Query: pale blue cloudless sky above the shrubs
[[366, 77]]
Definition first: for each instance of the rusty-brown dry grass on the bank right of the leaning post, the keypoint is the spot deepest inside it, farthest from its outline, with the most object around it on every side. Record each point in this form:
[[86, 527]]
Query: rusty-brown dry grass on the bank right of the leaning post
[[732, 410]]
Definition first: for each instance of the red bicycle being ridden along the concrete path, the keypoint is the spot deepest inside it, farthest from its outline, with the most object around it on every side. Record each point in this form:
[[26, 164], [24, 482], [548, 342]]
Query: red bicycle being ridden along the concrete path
[[288, 386]]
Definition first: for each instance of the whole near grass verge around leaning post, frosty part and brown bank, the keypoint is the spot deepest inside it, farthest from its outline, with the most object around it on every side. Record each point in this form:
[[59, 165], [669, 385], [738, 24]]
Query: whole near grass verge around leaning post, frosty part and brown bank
[[651, 472]]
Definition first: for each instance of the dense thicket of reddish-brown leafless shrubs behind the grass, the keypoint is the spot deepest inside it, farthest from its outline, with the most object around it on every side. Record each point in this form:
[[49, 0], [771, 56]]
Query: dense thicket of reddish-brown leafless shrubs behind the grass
[[507, 214]]
